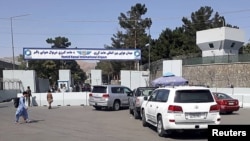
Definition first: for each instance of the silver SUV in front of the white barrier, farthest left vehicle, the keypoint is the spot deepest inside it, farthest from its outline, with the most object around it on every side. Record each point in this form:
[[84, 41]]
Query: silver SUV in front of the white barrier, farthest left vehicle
[[109, 97]]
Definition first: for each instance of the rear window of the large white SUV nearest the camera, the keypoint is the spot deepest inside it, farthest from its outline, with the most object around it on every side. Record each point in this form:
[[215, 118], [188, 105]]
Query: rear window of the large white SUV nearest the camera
[[191, 96]]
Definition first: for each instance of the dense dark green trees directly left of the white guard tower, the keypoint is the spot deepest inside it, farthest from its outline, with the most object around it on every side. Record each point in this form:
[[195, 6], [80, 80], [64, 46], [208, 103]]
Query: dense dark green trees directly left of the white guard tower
[[181, 42]]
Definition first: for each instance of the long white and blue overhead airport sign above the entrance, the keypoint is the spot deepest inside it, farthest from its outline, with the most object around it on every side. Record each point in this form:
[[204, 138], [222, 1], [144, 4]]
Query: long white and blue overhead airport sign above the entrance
[[81, 54]]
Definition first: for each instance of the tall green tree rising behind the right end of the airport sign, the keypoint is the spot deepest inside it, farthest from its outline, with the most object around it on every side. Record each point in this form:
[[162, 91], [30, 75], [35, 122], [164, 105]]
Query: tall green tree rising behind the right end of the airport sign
[[132, 36]]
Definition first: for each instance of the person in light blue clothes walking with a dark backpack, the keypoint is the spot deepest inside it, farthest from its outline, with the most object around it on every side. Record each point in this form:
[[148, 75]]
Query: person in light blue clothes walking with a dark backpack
[[22, 109]]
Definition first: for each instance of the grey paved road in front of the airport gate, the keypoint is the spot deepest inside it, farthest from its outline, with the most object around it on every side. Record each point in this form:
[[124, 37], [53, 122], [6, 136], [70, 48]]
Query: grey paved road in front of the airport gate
[[86, 124]]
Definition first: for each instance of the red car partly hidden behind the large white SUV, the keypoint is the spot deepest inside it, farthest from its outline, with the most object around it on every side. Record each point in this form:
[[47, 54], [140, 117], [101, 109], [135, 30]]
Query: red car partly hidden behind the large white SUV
[[227, 103]]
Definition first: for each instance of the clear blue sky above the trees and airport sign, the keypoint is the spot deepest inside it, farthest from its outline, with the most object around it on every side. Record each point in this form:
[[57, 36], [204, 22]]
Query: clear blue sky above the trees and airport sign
[[91, 23]]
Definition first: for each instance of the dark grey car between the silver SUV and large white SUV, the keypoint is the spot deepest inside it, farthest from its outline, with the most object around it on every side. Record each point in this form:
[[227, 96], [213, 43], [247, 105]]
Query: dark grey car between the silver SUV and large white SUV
[[137, 98]]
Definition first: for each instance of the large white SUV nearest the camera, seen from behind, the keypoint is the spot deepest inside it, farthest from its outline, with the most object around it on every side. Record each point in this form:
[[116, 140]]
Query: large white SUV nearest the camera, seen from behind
[[180, 108]]
